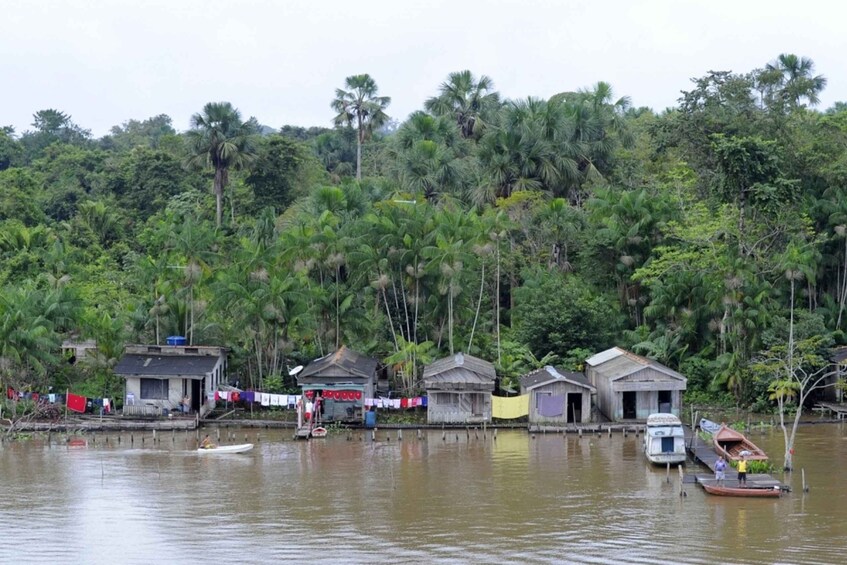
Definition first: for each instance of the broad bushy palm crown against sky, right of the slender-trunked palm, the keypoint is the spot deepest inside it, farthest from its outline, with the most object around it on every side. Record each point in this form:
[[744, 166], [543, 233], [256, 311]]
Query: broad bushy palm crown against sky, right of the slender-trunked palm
[[468, 100]]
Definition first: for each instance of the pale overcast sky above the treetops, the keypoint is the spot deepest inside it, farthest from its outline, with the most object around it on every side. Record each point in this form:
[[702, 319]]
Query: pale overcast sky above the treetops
[[108, 61]]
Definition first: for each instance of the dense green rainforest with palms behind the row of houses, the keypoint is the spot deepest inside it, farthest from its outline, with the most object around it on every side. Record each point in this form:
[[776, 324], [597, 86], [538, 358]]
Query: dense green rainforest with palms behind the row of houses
[[711, 236]]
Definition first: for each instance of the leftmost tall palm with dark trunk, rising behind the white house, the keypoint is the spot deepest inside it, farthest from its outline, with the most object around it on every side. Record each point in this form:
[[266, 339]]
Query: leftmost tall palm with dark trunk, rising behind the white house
[[220, 141]]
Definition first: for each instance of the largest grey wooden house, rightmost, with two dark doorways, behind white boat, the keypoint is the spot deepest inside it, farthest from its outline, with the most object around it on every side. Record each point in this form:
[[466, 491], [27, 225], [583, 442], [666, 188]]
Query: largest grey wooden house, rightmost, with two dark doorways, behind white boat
[[631, 387]]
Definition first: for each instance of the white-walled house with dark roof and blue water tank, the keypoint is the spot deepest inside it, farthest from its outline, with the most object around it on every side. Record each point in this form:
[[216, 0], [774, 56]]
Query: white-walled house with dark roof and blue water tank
[[159, 377]]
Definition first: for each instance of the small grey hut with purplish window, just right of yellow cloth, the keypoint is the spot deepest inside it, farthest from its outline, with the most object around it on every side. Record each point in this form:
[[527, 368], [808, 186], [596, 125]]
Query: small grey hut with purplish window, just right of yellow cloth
[[557, 396]]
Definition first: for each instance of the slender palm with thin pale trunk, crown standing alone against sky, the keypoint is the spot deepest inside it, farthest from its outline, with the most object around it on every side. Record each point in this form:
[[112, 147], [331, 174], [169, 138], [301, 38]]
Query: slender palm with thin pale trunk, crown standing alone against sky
[[359, 104]]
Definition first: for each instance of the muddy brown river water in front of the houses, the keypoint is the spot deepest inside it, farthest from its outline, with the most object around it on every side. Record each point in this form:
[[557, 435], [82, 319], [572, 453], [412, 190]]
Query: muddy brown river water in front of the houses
[[461, 499]]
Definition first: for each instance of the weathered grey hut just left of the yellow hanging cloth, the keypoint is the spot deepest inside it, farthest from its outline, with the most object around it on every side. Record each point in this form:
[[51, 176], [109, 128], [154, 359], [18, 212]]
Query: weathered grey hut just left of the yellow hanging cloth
[[459, 390]]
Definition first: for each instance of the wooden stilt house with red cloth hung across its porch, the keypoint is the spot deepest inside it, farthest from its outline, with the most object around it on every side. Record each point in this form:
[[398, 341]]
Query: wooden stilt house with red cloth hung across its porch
[[343, 379]]
